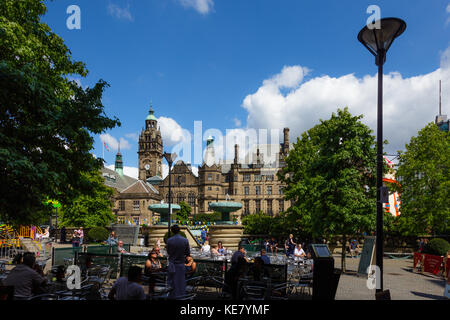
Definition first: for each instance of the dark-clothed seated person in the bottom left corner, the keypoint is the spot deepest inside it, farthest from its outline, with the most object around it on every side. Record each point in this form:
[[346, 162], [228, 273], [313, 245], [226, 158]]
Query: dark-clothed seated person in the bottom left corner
[[27, 278]]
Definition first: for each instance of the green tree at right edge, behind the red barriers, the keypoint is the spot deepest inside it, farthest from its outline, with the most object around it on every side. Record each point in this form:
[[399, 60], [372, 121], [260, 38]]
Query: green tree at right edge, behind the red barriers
[[424, 174]]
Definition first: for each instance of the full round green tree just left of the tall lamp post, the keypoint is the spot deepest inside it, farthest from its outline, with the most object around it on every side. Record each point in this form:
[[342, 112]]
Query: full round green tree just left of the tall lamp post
[[330, 176]]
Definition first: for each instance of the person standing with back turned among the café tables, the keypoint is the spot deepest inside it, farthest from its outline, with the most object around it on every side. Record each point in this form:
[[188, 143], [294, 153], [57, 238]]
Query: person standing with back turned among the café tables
[[177, 249]]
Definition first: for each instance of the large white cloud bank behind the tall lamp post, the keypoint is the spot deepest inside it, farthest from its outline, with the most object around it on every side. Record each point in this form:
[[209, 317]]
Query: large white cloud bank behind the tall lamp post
[[409, 103]]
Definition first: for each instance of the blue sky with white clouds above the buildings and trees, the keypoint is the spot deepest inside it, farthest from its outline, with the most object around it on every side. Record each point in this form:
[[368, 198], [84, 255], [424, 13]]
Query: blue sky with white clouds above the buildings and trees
[[240, 64]]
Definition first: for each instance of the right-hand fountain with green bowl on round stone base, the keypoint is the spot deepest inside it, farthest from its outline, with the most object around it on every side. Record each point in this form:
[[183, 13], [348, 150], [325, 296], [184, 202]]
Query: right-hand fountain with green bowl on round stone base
[[226, 231]]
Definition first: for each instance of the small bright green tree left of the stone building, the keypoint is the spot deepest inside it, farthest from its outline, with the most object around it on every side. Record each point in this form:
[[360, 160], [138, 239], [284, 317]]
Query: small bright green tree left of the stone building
[[93, 210]]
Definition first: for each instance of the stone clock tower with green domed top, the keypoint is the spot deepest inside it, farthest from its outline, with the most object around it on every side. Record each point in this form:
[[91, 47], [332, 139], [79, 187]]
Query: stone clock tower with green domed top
[[150, 148]]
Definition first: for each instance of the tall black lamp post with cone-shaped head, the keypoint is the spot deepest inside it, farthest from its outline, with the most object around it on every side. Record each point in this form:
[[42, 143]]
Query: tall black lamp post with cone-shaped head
[[378, 41]]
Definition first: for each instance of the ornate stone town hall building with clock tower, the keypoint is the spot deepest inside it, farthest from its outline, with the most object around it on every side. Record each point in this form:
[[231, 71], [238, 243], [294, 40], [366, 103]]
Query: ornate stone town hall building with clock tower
[[253, 184]]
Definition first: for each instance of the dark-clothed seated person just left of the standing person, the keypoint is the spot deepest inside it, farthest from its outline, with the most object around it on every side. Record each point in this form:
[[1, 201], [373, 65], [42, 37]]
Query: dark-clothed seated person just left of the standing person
[[128, 288]]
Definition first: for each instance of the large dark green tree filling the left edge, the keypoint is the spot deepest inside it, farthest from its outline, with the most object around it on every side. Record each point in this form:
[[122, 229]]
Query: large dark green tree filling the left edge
[[46, 120]]
